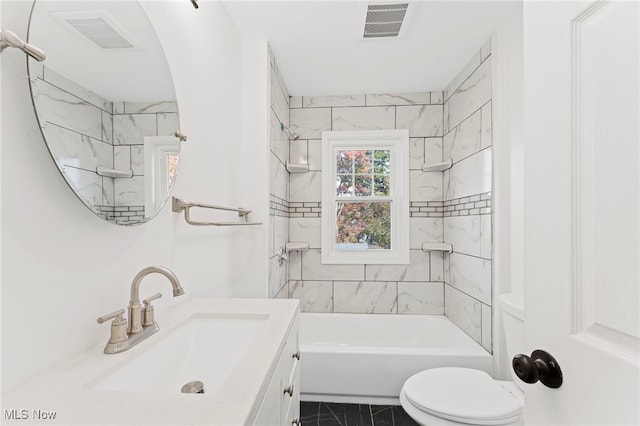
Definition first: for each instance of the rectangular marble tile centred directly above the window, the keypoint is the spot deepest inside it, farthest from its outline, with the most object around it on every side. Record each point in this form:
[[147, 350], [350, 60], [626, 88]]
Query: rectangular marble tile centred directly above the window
[[369, 118]]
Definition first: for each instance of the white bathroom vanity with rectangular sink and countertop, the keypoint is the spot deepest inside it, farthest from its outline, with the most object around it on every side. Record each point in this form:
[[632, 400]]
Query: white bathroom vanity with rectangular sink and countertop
[[244, 351]]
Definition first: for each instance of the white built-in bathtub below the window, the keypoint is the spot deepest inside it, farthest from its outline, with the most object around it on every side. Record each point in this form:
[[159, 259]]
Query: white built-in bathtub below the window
[[366, 358]]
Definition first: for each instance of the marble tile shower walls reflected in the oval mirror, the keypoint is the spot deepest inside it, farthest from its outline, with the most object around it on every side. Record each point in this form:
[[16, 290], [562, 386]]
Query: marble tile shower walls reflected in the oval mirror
[[85, 131]]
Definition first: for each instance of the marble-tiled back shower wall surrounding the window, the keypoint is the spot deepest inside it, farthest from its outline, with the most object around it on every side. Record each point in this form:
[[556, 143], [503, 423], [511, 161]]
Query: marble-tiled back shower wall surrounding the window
[[417, 288]]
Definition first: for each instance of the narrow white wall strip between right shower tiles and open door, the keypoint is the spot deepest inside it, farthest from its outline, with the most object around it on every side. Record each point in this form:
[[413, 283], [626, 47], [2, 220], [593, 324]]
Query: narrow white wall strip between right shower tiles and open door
[[508, 177]]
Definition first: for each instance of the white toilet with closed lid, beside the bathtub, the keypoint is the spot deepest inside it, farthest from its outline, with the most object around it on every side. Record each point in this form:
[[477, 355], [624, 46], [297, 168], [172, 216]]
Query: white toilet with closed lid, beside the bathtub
[[463, 396]]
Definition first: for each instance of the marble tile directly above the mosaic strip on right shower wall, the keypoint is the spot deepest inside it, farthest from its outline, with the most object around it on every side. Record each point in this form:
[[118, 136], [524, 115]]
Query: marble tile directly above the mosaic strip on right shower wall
[[470, 176]]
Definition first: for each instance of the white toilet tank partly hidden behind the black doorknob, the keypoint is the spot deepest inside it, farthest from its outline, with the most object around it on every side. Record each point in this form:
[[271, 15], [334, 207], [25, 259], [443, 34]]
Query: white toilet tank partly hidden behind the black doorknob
[[512, 305]]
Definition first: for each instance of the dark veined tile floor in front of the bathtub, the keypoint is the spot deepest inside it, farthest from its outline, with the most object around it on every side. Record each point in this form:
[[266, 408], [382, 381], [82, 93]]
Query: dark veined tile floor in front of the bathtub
[[334, 414]]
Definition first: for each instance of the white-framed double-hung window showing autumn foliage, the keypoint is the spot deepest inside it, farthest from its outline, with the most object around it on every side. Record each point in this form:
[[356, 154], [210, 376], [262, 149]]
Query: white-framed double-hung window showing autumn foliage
[[365, 197]]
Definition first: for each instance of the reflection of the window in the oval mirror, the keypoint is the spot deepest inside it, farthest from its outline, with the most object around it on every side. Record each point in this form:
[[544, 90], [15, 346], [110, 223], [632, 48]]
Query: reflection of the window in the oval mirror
[[161, 155]]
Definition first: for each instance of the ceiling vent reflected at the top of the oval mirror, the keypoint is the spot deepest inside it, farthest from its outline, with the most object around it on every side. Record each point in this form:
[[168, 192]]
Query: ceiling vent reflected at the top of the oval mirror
[[99, 27]]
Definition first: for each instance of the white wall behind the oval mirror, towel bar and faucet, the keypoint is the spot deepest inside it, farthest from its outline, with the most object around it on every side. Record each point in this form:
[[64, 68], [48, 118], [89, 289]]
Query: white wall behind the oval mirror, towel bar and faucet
[[61, 265]]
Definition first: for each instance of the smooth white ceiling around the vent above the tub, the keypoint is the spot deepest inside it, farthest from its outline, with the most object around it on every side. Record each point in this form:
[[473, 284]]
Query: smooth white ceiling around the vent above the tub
[[319, 50]]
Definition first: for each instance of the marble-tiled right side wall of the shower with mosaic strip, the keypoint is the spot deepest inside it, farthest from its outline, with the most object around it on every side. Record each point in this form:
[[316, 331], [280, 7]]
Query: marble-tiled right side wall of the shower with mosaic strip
[[467, 199]]
